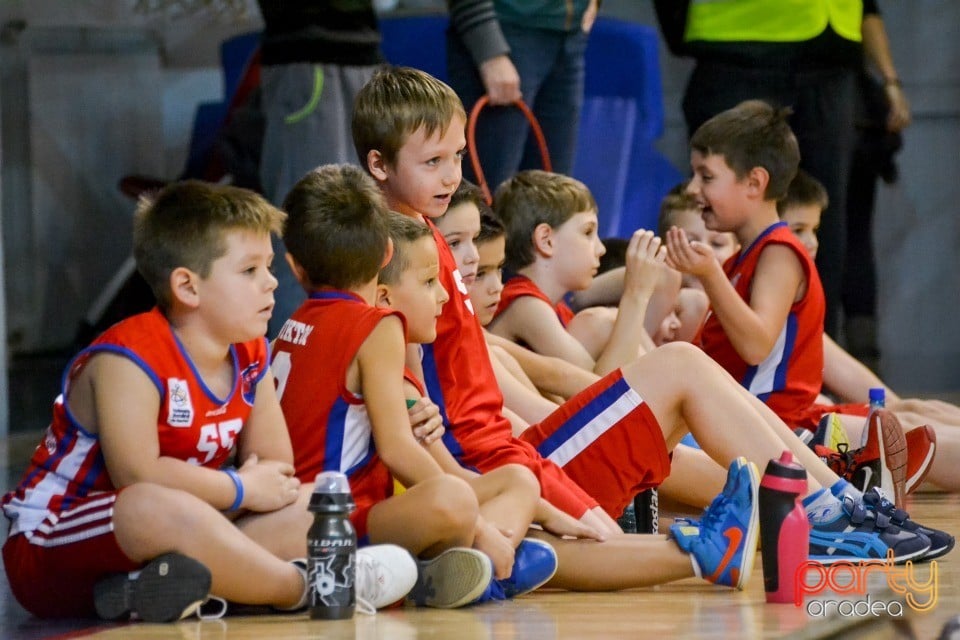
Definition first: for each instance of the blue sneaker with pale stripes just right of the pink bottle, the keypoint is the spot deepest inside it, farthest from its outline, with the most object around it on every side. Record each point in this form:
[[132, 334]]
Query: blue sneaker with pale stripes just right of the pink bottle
[[857, 533]]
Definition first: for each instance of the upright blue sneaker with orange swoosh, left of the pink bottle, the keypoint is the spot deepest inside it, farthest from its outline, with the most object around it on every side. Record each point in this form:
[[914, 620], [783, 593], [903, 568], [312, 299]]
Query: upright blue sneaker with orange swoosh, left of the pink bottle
[[723, 543]]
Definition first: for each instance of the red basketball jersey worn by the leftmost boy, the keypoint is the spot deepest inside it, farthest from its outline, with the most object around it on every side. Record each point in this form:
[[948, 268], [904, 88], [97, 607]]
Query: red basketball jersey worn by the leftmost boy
[[192, 425]]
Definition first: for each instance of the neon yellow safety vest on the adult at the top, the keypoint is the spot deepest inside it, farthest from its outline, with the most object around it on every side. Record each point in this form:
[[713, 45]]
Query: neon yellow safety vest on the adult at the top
[[772, 20]]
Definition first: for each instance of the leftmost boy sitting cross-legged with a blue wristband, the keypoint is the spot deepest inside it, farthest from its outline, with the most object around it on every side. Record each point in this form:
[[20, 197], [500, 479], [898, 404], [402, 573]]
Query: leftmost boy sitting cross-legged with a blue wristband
[[130, 476]]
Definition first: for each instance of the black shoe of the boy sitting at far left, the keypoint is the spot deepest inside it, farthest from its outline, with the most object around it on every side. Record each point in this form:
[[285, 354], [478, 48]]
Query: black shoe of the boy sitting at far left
[[170, 587]]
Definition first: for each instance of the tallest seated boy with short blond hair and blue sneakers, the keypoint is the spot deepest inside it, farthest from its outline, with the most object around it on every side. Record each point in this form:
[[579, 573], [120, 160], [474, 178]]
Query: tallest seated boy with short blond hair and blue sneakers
[[609, 438]]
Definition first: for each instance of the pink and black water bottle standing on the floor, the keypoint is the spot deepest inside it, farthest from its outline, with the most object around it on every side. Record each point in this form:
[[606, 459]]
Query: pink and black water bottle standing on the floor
[[784, 530]]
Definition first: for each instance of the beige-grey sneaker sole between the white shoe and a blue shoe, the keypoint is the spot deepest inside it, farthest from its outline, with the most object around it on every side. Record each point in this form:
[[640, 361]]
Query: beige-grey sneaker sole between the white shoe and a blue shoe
[[453, 579]]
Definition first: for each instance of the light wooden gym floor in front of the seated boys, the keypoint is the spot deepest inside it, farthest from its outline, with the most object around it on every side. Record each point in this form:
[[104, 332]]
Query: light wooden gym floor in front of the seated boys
[[686, 609]]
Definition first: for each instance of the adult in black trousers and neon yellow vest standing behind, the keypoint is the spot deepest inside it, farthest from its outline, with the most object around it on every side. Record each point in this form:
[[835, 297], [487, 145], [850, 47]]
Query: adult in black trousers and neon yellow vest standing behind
[[795, 53]]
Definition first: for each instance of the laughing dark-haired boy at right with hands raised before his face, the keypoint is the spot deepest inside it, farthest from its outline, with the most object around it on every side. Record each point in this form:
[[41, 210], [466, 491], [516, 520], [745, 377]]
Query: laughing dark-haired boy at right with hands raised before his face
[[766, 324]]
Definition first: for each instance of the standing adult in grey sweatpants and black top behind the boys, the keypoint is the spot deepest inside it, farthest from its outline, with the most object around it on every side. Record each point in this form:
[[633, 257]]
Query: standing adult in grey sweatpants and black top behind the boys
[[315, 56]]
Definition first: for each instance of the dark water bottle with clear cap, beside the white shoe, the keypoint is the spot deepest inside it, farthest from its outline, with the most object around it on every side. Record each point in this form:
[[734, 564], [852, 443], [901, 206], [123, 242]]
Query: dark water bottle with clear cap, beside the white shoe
[[331, 548]]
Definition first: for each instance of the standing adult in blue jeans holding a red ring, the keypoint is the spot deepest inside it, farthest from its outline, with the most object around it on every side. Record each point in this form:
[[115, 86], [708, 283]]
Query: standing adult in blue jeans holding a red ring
[[511, 49]]
